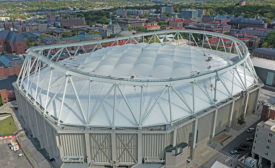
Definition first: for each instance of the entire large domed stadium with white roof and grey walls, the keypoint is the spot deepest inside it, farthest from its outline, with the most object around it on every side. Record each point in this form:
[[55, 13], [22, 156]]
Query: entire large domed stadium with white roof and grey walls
[[130, 100]]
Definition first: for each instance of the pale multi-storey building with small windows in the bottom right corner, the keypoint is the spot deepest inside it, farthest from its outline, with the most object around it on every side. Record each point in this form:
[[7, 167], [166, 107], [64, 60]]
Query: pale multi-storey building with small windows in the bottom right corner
[[264, 142]]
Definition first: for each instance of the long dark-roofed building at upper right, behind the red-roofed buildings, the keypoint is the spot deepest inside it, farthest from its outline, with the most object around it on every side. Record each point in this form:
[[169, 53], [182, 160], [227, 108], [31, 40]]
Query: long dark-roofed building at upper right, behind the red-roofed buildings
[[241, 22]]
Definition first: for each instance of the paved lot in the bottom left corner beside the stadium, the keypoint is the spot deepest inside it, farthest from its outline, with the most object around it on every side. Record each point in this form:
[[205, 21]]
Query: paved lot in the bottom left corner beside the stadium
[[10, 159]]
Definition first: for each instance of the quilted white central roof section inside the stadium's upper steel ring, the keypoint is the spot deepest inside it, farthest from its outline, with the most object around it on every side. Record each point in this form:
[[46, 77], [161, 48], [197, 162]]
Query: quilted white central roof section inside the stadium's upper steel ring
[[150, 61]]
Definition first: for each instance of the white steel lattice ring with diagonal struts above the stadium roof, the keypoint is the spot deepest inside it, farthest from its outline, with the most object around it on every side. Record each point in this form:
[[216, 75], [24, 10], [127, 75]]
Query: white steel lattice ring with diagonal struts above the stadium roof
[[48, 56]]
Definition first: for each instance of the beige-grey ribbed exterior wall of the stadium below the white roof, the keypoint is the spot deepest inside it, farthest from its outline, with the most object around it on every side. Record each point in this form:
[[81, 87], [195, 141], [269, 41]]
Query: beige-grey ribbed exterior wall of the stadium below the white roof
[[126, 147]]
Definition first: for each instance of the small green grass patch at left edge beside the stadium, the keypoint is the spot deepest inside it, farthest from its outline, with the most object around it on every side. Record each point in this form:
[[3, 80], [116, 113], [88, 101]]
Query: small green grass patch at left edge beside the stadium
[[7, 126]]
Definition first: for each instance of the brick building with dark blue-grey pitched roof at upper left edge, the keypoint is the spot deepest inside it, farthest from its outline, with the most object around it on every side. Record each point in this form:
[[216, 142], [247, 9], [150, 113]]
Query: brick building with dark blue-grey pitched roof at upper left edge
[[12, 42]]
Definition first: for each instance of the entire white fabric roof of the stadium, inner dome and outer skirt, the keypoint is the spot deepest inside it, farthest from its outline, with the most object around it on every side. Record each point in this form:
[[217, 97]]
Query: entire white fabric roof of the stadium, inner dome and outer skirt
[[122, 105]]
